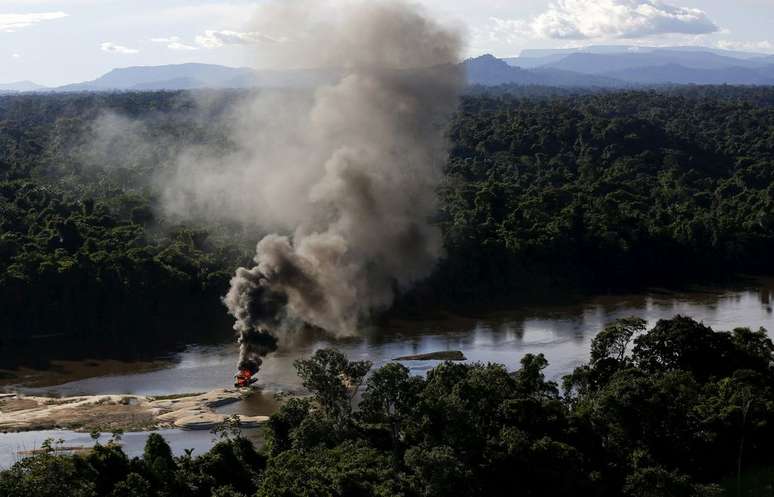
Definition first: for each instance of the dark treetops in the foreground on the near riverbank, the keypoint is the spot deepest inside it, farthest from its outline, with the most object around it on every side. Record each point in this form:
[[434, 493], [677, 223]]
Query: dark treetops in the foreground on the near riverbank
[[677, 411]]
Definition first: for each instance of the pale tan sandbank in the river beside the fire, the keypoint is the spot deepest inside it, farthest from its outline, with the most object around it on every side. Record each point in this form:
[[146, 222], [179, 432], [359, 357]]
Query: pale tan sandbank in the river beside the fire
[[119, 412]]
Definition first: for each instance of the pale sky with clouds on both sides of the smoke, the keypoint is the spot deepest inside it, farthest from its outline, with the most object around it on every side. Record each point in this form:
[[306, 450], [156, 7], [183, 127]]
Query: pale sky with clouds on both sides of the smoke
[[55, 42]]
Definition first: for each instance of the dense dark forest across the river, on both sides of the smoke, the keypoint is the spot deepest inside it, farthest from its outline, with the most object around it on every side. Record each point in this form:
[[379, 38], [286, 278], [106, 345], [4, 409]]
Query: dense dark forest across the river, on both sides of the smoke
[[544, 191]]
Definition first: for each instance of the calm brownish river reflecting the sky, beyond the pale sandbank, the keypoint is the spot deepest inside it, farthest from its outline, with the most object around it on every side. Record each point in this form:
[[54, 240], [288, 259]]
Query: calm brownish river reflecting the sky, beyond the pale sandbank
[[562, 332]]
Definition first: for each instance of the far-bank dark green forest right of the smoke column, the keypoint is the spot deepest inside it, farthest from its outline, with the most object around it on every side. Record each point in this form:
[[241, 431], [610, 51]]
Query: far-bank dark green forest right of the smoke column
[[606, 190]]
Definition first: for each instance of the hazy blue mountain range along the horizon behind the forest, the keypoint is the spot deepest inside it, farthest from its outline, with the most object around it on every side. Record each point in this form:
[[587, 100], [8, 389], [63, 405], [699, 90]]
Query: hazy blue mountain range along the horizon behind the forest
[[597, 66]]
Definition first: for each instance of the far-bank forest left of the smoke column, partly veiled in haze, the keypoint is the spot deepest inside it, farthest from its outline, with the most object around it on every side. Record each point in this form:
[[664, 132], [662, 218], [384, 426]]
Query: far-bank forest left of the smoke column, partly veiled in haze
[[83, 242]]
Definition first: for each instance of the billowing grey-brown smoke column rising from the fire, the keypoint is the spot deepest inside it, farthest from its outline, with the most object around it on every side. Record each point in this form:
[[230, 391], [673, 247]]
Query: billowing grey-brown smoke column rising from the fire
[[358, 171]]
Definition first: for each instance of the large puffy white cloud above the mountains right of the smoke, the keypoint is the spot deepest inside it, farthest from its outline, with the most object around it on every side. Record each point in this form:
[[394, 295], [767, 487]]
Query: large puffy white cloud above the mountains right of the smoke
[[609, 19]]
